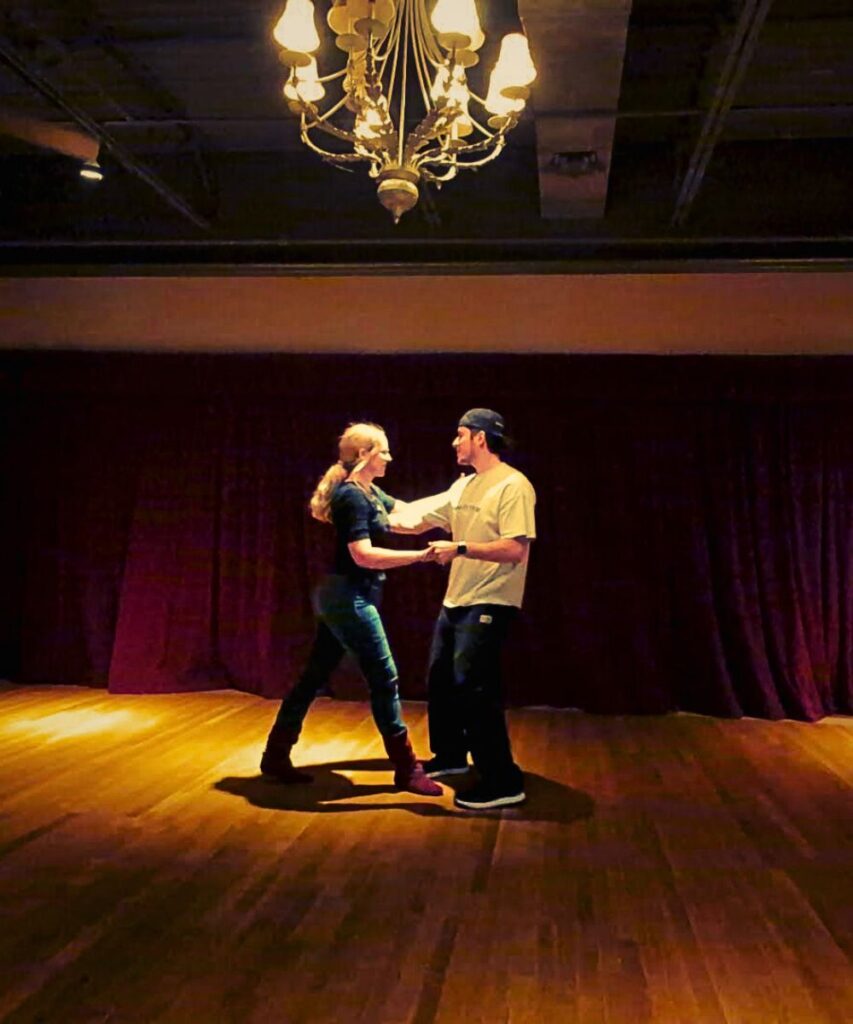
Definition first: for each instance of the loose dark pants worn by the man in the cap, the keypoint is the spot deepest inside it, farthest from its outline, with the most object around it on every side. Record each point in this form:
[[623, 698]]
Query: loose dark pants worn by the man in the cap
[[466, 701]]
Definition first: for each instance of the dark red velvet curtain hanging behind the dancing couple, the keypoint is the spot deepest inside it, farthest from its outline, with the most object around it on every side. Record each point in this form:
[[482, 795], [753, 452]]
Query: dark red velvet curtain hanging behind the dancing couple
[[696, 520]]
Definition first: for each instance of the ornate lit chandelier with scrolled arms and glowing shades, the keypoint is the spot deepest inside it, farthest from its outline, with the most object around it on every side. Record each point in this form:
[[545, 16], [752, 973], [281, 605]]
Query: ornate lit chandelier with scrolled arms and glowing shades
[[396, 51]]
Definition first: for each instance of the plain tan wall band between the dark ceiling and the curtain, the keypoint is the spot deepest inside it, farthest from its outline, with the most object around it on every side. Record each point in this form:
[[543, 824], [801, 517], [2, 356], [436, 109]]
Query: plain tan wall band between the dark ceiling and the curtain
[[759, 314]]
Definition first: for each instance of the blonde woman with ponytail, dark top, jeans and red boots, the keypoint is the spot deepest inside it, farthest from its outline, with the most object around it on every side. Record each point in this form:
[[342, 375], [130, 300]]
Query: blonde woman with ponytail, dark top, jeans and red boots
[[348, 609]]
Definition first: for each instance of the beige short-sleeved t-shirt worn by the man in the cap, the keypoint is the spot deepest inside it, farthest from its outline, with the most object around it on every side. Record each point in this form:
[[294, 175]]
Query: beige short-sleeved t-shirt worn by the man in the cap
[[487, 507]]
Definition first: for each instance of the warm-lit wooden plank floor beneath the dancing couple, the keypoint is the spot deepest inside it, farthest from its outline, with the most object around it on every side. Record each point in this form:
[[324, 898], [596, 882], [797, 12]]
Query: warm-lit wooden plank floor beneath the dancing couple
[[676, 870]]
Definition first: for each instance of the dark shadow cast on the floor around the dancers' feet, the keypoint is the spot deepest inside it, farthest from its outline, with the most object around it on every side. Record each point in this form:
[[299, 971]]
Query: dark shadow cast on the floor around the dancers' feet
[[333, 792]]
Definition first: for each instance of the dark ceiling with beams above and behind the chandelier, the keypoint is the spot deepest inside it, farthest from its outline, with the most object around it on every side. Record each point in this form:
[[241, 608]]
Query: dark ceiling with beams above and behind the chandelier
[[680, 134]]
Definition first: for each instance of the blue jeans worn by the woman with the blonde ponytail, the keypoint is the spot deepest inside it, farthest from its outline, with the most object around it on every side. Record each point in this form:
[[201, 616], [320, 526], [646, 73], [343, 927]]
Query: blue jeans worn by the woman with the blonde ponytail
[[349, 620]]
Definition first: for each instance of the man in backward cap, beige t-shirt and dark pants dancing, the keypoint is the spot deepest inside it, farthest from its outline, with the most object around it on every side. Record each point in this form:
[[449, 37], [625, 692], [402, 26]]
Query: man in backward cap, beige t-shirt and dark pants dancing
[[490, 516]]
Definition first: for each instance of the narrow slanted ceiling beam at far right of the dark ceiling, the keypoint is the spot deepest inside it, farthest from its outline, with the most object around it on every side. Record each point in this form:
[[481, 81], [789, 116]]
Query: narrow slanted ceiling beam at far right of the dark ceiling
[[742, 48]]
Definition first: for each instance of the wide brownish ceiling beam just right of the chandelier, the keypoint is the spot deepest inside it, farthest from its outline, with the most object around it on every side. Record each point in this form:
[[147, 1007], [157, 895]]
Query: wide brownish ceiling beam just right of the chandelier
[[579, 50]]
